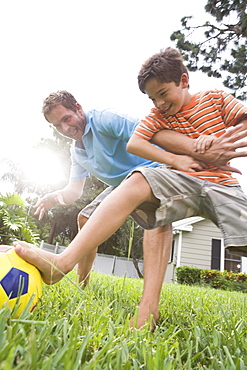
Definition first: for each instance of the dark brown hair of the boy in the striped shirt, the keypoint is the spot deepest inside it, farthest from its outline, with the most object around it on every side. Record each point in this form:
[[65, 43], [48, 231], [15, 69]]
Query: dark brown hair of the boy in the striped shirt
[[166, 66]]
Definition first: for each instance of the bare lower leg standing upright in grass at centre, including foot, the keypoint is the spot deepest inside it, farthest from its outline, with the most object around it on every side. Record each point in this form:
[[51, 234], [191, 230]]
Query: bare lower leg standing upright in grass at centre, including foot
[[156, 249]]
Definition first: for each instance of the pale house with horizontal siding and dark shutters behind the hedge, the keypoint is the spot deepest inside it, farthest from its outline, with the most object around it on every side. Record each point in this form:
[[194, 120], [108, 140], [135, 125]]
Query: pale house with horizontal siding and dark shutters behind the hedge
[[197, 242]]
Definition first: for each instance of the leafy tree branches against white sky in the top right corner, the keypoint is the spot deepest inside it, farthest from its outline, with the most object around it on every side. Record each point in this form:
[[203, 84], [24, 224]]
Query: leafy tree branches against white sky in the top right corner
[[221, 48]]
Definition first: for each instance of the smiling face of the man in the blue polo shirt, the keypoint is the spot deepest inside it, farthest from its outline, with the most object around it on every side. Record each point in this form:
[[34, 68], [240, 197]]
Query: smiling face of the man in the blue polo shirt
[[68, 123]]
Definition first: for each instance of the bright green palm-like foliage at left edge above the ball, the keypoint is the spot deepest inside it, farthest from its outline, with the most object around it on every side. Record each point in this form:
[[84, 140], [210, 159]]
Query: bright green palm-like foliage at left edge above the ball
[[15, 223]]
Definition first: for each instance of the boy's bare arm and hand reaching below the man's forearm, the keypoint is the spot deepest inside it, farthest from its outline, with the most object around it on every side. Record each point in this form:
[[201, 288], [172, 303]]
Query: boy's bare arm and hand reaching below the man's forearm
[[143, 148]]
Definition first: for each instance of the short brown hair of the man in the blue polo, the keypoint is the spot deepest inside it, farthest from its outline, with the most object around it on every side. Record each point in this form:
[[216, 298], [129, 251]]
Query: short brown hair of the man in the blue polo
[[60, 97]]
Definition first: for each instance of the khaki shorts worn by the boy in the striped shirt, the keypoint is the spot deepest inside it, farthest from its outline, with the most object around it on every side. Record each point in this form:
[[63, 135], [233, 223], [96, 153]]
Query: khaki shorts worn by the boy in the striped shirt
[[182, 196]]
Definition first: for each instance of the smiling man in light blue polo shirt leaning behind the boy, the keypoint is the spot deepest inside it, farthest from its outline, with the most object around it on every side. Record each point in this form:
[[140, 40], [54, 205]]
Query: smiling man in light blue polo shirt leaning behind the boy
[[99, 148]]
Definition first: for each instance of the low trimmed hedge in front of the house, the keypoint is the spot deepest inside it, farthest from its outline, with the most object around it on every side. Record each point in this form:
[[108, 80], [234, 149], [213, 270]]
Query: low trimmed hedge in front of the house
[[226, 280]]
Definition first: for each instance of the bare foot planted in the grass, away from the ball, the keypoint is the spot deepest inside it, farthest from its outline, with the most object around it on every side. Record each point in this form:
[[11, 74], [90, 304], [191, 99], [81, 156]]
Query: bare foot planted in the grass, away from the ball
[[144, 316]]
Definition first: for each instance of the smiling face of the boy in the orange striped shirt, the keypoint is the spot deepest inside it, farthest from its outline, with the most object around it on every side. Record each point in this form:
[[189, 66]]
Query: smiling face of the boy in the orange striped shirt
[[167, 96]]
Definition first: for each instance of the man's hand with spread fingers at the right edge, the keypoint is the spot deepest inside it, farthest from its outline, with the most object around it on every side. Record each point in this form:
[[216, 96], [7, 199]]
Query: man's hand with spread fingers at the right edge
[[223, 149]]
